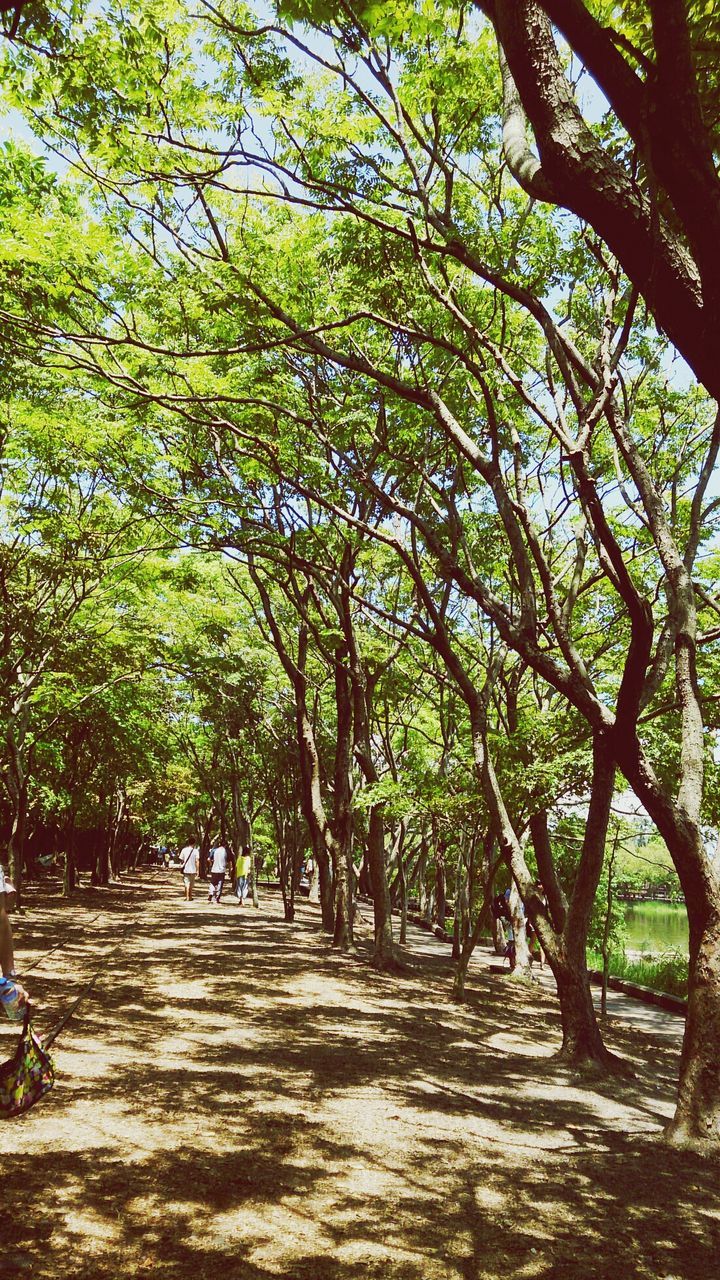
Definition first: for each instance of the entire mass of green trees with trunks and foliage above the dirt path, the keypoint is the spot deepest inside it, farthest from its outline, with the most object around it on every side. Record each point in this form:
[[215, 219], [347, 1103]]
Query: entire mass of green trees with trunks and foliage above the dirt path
[[356, 500]]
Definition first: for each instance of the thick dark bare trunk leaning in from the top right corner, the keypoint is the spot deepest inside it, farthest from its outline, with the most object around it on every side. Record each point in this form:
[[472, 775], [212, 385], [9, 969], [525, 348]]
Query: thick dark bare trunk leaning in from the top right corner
[[650, 188]]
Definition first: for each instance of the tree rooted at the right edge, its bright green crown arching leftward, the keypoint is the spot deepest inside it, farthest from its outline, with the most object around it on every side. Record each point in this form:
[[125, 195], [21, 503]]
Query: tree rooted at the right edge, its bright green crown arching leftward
[[464, 359]]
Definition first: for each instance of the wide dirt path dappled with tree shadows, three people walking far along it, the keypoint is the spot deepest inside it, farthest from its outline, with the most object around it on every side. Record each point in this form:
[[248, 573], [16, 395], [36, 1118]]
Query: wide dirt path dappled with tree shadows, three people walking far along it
[[238, 1103]]
